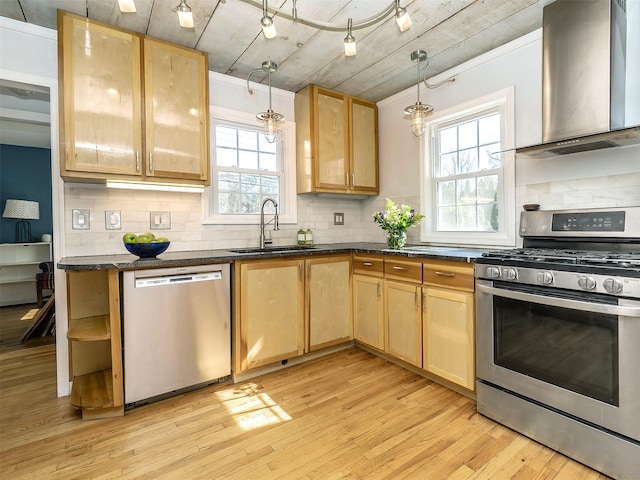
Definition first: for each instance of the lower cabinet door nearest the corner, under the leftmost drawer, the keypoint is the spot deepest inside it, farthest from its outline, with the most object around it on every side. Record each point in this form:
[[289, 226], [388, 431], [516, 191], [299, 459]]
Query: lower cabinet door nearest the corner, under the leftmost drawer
[[368, 310]]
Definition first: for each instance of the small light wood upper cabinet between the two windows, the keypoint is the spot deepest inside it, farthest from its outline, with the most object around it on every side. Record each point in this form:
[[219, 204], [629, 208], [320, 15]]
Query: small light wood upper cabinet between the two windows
[[337, 143]]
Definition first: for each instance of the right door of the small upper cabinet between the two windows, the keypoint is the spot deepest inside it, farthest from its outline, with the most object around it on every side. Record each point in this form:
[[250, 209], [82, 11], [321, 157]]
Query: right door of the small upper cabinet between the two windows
[[364, 147]]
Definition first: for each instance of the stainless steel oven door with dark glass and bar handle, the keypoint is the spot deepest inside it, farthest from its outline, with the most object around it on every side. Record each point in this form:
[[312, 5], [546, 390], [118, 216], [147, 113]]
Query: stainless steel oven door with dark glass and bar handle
[[575, 352]]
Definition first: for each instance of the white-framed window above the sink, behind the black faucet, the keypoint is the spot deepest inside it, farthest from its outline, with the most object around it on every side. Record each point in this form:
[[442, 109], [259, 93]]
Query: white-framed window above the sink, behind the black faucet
[[246, 169]]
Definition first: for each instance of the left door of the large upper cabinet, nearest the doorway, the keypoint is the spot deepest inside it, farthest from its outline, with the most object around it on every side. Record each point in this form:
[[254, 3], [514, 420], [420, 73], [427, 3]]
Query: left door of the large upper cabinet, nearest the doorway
[[100, 98]]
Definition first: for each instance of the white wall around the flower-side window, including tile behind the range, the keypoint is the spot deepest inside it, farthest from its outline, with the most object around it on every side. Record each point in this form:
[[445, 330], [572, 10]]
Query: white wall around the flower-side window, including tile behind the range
[[601, 178]]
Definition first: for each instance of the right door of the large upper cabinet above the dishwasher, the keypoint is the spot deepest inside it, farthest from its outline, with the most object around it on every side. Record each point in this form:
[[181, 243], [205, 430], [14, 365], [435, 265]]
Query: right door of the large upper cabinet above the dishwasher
[[176, 112]]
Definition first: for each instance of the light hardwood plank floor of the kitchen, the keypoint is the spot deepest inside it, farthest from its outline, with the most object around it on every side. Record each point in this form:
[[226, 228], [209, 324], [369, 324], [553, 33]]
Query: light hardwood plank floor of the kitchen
[[347, 416]]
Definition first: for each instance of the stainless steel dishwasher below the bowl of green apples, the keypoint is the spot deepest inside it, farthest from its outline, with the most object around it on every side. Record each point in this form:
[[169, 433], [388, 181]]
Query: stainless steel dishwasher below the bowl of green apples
[[176, 329]]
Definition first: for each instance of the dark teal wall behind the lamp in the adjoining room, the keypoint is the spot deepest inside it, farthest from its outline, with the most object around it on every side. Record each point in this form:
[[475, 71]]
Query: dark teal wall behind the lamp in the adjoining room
[[25, 174]]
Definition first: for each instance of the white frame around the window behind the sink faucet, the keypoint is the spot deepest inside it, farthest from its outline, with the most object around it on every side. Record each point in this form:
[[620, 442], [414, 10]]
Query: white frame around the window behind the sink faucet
[[286, 138]]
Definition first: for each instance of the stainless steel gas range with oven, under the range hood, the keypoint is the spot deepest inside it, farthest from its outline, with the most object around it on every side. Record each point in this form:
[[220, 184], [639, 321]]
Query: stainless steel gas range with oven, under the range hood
[[558, 335]]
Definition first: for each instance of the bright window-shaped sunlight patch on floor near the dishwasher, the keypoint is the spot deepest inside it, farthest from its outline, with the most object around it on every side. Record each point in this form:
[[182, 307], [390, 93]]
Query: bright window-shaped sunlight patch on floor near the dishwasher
[[251, 408]]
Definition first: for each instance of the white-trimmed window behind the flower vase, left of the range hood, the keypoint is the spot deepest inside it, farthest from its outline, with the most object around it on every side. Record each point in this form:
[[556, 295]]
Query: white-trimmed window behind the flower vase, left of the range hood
[[468, 180]]
